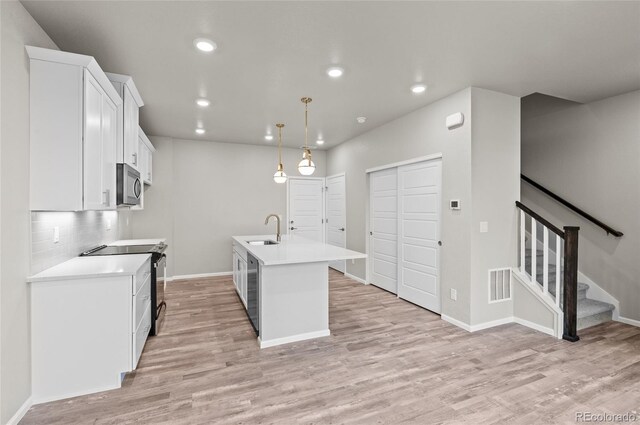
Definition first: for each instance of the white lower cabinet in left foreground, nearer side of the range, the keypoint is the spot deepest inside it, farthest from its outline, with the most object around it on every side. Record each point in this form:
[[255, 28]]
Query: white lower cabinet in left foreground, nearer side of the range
[[87, 332]]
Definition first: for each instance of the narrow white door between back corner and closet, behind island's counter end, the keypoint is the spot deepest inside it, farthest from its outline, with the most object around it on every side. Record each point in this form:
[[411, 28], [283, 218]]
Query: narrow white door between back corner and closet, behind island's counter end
[[335, 201]]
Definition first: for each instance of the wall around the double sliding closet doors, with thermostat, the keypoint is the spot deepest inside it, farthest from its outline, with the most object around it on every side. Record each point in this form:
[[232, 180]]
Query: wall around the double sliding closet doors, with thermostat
[[420, 133]]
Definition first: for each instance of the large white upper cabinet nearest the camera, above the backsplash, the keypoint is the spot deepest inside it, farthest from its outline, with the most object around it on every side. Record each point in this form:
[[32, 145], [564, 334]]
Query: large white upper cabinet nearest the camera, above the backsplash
[[73, 130]]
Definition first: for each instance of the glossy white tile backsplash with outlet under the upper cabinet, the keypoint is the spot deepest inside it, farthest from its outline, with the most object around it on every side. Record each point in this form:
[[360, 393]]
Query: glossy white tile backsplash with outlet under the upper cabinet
[[78, 232]]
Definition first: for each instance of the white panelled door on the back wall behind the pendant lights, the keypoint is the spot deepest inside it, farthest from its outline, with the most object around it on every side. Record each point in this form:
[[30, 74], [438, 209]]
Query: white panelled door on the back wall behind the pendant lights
[[306, 208]]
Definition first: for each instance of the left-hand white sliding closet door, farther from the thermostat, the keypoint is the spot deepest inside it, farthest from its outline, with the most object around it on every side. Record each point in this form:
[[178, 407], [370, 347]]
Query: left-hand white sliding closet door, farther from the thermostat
[[383, 245]]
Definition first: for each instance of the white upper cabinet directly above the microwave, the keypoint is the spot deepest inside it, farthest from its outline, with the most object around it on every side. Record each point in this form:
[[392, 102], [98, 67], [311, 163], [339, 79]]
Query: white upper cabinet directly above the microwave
[[128, 118]]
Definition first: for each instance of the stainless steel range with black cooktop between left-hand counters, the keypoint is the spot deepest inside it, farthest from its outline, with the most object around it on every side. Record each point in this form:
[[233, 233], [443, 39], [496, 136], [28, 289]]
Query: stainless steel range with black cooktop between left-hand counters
[[158, 275]]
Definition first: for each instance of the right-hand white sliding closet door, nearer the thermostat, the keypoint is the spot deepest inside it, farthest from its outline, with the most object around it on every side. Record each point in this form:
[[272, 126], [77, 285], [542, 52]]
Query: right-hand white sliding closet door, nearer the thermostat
[[419, 188]]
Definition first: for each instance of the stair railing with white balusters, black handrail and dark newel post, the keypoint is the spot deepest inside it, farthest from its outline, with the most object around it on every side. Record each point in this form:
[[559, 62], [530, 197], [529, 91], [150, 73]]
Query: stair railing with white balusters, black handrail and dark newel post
[[565, 288]]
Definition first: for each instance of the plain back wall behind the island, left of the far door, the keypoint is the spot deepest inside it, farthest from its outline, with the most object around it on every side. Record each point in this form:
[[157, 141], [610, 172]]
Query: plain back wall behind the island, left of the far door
[[205, 192]]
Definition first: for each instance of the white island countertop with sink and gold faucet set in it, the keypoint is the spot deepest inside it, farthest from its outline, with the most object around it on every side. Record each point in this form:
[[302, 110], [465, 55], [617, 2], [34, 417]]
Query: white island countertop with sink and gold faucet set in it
[[294, 250]]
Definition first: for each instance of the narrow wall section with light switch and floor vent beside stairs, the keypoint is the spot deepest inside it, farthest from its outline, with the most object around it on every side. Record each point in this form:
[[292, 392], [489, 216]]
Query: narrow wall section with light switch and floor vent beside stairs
[[495, 180]]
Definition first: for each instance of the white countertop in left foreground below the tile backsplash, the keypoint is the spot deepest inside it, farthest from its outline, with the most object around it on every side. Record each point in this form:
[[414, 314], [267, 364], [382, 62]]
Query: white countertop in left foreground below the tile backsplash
[[89, 267]]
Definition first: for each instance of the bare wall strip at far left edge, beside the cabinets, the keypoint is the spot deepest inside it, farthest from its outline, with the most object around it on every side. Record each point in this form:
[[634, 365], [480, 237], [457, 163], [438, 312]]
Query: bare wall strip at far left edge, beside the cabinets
[[18, 29]]
